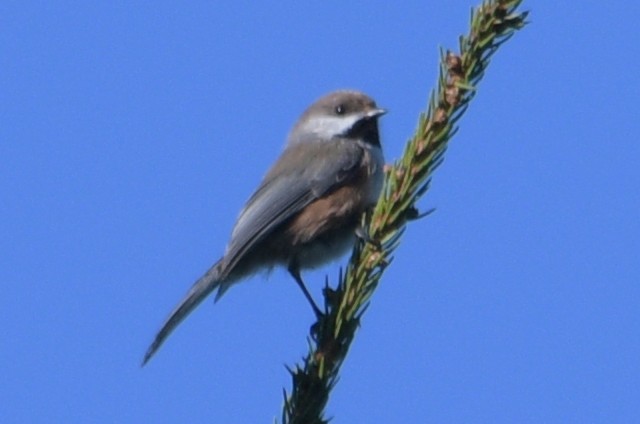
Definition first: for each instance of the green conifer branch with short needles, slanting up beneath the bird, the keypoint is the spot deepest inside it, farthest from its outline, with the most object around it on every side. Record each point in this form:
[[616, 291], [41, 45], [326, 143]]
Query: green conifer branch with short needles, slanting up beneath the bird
[[492, 23]]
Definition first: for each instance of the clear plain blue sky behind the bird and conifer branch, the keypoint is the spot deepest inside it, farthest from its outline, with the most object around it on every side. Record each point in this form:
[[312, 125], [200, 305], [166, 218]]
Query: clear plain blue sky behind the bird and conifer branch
[[132, 133]]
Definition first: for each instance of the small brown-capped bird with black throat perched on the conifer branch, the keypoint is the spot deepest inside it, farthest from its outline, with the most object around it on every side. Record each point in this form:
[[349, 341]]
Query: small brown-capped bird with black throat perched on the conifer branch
[[307, 210]]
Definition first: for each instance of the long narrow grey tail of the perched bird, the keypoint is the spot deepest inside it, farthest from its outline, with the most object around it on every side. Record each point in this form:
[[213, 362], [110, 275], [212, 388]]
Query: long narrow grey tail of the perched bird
[[211, 280]]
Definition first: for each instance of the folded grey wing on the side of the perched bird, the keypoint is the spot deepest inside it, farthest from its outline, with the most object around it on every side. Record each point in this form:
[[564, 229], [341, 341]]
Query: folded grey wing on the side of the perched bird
[[303, 173]]
